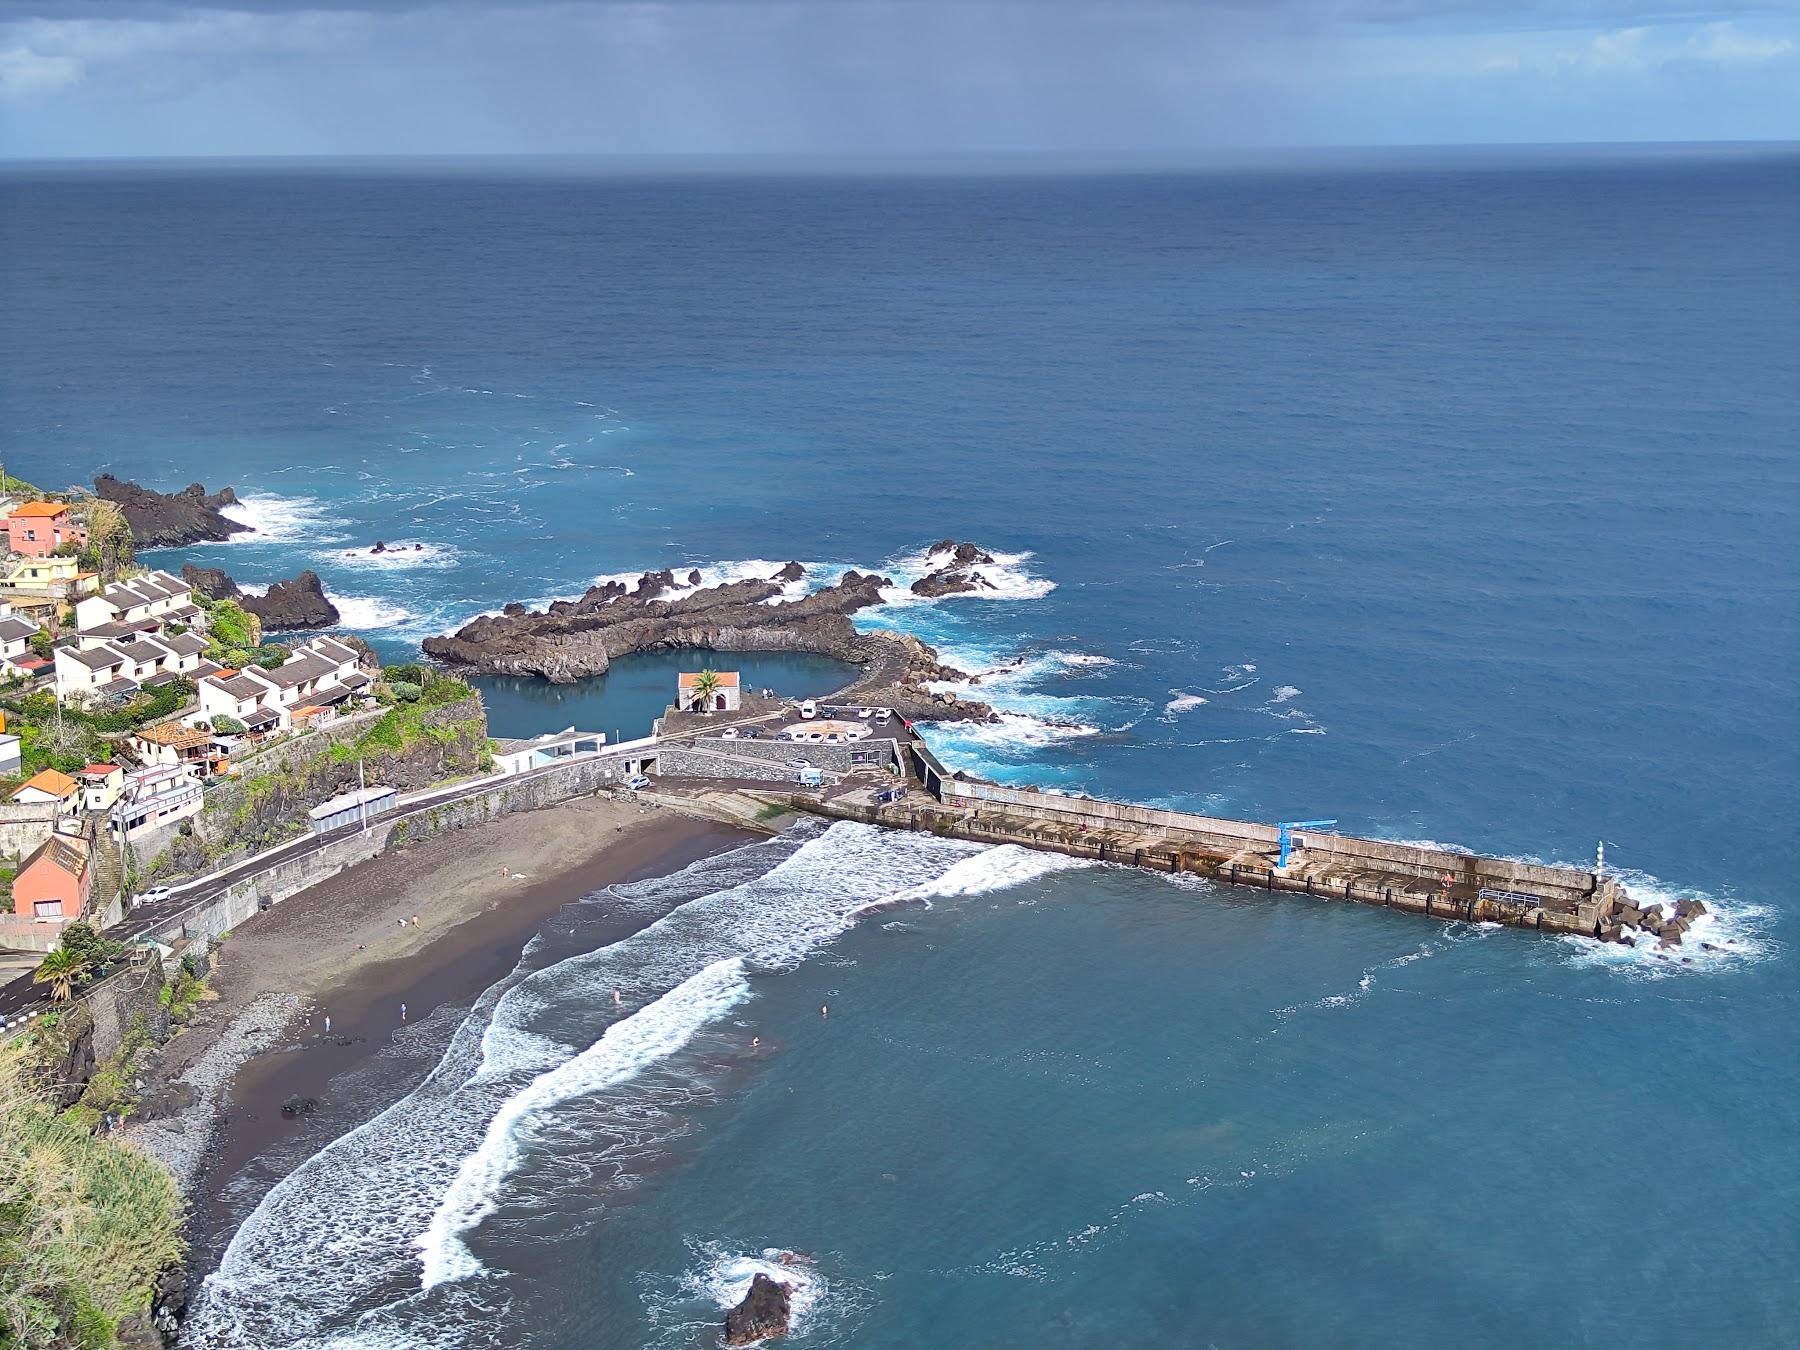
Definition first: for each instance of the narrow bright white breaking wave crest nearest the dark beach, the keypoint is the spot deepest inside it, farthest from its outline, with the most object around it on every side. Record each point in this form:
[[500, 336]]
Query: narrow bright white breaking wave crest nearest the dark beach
[[625, 1050]]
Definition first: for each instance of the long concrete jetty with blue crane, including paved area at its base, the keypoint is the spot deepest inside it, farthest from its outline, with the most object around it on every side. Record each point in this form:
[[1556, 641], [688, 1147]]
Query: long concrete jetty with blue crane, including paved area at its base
[[883, 773]]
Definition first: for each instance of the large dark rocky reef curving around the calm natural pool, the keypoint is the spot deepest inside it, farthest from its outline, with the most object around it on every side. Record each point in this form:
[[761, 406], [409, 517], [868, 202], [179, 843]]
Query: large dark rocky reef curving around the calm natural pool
[[579, 638]]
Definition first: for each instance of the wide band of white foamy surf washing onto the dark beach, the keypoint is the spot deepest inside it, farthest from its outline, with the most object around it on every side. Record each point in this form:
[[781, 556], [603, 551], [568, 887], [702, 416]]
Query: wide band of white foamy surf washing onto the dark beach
[[337, 1230]]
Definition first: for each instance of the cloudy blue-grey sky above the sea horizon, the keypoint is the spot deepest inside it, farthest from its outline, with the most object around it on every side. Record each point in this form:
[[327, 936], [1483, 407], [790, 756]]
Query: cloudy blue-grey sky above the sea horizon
[[881, 78]]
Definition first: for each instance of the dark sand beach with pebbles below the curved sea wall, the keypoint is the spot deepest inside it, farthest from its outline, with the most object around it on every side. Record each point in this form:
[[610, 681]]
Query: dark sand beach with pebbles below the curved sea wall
[[341, 949]]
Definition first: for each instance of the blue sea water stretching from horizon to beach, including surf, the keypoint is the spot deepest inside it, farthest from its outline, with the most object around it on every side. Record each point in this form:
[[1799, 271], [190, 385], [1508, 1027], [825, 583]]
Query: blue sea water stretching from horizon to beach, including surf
[[1452, 499]]
